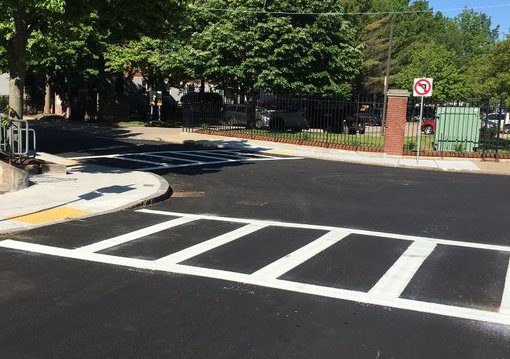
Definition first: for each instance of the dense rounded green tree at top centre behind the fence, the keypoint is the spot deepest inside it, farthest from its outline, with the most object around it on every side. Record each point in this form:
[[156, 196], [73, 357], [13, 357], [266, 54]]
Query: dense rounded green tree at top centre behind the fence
[[261, 51]]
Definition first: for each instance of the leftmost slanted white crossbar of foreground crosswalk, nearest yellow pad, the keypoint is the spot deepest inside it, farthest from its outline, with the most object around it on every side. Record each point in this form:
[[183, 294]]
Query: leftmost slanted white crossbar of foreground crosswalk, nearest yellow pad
[[112, 242]]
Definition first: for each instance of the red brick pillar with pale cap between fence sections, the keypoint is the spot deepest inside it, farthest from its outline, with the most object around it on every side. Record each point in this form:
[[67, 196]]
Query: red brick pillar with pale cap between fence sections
[[395, 122]]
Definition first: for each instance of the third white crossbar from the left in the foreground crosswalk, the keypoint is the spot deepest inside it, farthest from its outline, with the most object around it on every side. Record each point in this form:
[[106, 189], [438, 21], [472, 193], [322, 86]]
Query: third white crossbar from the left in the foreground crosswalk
[[299, 256]]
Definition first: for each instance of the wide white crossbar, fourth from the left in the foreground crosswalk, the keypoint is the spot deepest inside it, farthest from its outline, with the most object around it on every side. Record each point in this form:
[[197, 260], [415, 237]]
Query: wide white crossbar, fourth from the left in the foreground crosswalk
[[396, 279]]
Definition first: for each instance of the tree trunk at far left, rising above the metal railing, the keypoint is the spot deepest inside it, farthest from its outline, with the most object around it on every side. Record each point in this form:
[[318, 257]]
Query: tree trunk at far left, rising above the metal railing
[[16, 57]]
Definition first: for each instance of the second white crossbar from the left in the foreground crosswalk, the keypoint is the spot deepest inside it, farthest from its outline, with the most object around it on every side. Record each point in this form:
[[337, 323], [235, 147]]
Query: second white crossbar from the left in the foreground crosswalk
[[210, 244]]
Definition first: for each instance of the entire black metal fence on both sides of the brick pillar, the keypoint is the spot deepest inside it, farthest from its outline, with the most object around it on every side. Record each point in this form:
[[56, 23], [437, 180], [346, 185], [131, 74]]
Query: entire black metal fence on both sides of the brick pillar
[[456, 129]]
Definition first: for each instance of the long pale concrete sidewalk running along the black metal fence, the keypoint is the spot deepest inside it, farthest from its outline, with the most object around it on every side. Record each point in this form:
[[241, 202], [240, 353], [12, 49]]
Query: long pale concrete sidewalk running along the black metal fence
[[177, 136]]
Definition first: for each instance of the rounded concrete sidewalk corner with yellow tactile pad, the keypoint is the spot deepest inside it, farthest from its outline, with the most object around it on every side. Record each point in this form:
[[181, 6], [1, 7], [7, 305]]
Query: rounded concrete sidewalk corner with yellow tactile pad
[[85, 191]]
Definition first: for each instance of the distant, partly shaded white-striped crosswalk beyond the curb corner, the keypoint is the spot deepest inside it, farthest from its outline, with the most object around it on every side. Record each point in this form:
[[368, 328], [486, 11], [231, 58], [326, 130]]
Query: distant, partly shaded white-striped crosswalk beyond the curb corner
[[161, 160]]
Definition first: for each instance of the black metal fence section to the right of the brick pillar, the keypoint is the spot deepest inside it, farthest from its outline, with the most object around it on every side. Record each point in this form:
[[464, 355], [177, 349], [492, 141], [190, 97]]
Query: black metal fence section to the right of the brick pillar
[[459, 129]]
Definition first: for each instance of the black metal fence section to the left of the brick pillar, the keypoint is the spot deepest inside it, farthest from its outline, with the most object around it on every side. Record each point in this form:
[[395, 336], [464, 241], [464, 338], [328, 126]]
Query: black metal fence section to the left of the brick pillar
[[314, 120]]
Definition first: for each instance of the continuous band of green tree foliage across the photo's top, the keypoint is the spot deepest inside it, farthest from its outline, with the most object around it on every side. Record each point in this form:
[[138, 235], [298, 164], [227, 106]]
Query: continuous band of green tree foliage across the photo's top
[[298, 46]]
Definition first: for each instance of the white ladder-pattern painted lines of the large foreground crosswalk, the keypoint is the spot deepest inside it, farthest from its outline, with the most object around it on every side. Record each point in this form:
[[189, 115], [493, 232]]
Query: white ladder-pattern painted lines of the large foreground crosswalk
[[386, 292]]
